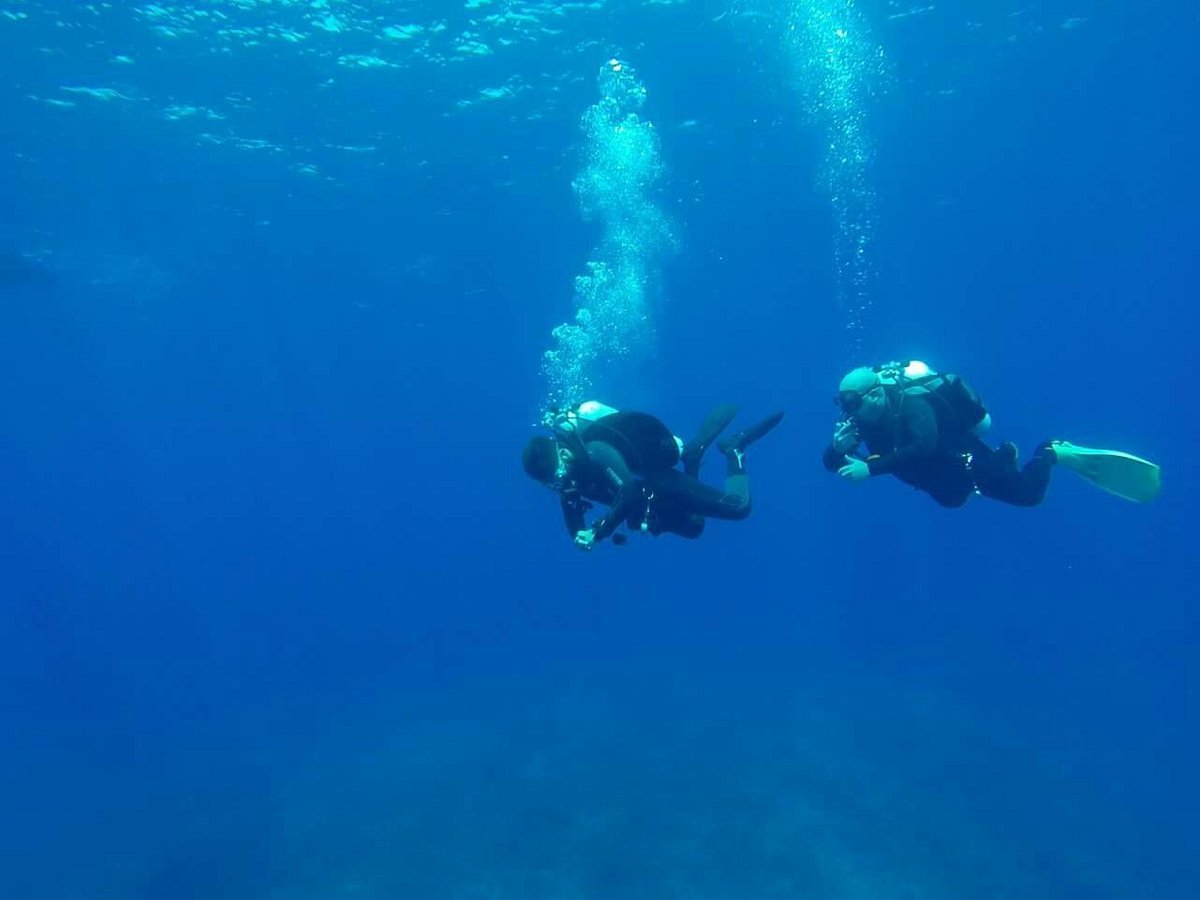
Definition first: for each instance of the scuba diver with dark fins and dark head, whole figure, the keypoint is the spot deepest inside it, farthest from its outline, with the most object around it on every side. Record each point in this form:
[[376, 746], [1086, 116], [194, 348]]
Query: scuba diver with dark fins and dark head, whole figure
[[627, 461]]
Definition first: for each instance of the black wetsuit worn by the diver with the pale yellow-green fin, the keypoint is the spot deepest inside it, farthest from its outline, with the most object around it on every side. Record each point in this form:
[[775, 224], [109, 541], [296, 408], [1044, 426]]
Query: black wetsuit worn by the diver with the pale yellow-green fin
[[923, 445]]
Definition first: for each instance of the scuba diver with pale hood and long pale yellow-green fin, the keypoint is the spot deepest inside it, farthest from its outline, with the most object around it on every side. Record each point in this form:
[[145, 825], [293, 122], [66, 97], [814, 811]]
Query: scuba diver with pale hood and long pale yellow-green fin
[[927, 430]]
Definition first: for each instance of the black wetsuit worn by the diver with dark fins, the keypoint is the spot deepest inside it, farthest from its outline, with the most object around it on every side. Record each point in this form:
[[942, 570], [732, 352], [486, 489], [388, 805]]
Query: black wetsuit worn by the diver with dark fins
[[627, 461]]
